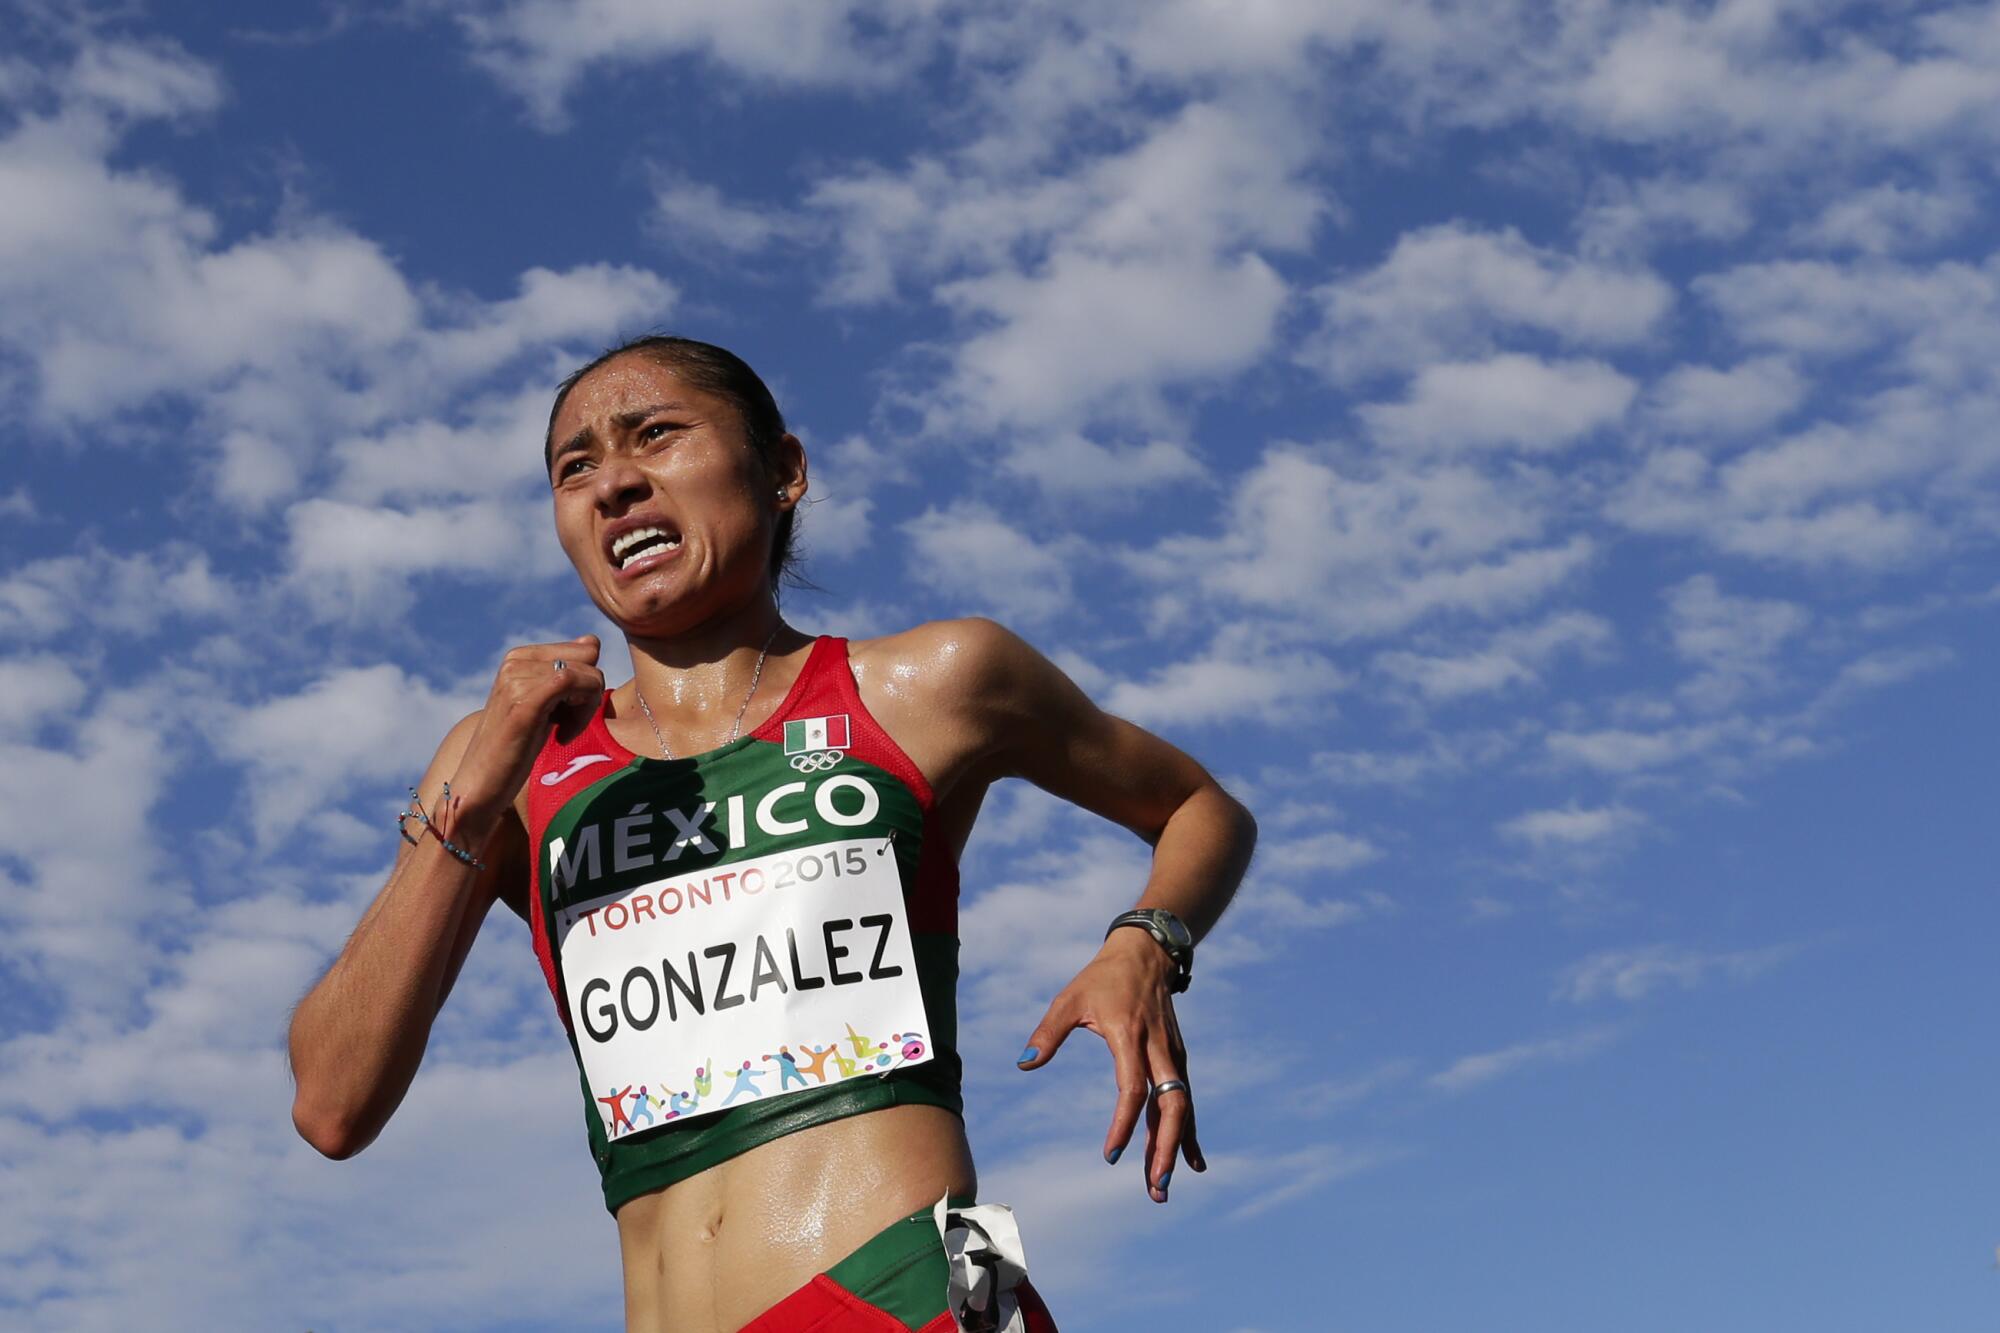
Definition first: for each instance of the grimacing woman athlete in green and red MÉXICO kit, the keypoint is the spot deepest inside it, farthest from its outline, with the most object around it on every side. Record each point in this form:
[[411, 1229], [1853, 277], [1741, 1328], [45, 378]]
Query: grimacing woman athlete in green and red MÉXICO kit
[[741, 880]]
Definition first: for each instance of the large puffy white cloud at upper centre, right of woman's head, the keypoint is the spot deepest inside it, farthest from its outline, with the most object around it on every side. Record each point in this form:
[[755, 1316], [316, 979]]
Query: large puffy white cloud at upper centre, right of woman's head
[[1093, 293]]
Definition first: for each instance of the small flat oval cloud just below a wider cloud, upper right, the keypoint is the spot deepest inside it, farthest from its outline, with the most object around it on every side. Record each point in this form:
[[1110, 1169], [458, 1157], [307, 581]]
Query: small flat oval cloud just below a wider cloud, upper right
[[1507, 399]]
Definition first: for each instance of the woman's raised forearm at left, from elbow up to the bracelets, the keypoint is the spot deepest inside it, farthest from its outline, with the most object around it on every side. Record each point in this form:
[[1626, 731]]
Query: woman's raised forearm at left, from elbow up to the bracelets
[[361, 1034]]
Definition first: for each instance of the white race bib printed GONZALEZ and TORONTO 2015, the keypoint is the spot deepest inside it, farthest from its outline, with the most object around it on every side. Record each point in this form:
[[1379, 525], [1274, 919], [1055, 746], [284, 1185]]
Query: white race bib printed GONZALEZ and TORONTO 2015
[[745, 982]]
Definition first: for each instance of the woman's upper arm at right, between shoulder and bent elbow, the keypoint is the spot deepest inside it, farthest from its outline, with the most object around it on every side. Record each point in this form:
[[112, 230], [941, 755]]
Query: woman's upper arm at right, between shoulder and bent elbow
[[1035, 724]]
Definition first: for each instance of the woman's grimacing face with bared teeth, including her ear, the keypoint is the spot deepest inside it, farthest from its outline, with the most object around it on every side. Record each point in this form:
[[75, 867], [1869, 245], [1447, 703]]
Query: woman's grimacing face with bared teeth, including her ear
[[661, 503]]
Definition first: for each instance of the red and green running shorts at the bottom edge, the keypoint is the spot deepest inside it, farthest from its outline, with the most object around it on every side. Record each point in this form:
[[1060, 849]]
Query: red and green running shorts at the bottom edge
[[893, 1284]]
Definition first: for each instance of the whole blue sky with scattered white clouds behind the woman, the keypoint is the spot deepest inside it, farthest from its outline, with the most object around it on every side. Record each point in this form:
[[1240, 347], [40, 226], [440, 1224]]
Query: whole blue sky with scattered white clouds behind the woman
[[1545, 463]]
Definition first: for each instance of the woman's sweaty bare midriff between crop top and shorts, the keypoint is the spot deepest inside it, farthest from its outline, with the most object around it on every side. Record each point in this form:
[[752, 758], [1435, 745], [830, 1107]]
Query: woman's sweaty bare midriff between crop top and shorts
[[715, 1252]]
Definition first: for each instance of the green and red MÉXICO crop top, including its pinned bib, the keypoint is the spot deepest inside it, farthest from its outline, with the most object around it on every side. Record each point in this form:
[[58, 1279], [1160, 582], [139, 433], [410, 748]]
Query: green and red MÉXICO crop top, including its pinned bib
[[749, 942]]
